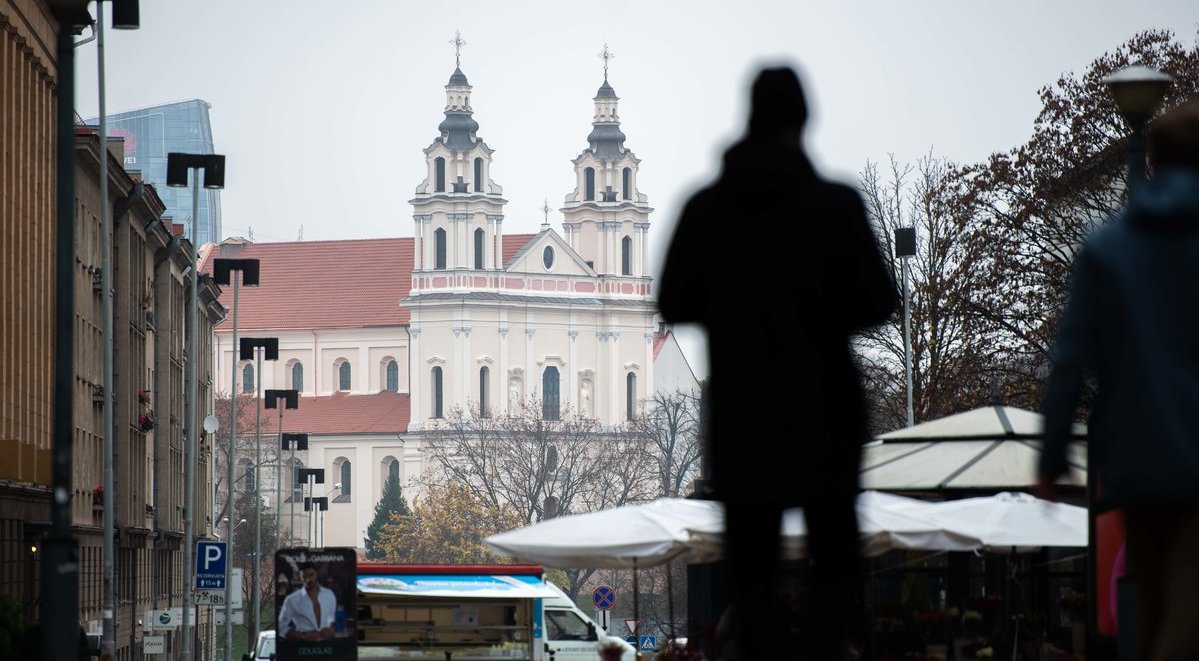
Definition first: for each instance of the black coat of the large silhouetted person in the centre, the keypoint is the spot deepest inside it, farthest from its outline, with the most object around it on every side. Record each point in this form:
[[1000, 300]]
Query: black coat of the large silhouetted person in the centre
[[780, 267]]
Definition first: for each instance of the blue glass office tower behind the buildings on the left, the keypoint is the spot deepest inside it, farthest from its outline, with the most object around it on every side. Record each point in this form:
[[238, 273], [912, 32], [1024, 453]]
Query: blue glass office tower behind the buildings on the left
[[150, 134]]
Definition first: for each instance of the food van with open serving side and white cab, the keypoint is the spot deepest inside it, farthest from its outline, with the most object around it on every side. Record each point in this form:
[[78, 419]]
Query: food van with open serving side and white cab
[[472, 614]]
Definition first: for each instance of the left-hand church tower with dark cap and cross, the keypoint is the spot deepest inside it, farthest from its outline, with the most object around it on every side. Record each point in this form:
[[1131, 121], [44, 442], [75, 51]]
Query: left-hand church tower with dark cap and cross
[[459, 209]]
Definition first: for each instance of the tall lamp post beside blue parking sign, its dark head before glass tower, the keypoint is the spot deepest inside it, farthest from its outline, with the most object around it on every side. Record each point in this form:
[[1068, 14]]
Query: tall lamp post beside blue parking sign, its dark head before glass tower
[[178, 169]]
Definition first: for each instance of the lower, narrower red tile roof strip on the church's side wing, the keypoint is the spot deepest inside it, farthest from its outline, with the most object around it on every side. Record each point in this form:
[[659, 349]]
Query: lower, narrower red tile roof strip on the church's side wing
[[383, 413]]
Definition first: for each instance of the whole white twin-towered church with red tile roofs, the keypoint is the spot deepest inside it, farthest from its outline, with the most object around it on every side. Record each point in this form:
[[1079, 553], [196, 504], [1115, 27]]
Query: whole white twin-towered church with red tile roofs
[[385, 338]]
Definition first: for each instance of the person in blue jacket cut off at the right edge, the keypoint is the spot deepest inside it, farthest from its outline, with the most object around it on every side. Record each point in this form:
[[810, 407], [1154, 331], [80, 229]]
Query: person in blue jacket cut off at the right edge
[[1131, 323]]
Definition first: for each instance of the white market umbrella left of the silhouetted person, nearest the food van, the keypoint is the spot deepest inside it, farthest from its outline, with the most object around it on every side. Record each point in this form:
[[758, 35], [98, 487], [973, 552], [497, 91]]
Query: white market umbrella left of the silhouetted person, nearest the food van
[[637, 536]]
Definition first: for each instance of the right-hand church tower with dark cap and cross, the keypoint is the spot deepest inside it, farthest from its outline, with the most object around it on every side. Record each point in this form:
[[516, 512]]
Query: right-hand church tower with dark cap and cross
[[606, 219]]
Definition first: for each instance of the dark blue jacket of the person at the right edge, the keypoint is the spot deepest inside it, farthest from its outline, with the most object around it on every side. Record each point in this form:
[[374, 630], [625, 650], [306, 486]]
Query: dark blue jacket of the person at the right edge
[[1132, 316]]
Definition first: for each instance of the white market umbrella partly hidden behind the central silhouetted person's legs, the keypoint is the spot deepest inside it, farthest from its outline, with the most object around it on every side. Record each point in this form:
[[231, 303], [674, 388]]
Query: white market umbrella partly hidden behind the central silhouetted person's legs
[[885, 522]]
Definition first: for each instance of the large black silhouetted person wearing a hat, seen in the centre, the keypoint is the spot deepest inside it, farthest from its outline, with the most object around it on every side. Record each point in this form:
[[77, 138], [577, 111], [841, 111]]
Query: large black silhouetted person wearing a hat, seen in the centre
[[780, 267]]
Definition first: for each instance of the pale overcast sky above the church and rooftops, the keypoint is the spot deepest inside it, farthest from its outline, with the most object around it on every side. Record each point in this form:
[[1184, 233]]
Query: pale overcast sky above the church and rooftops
[[323, 109]]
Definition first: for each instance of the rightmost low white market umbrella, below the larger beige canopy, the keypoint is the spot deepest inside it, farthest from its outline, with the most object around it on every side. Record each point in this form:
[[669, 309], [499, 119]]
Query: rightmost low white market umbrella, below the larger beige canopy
[[1009, 521]]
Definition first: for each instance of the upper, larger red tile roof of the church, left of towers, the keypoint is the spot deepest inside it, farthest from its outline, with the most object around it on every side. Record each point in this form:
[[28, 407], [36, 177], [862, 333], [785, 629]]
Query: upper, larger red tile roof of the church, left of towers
[[322, 285]]
